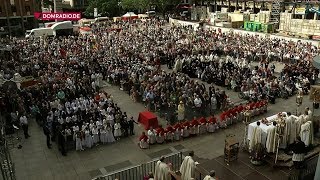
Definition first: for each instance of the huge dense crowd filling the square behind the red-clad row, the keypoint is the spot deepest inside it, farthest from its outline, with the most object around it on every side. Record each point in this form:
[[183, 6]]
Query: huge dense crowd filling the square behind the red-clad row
[[67, 99]]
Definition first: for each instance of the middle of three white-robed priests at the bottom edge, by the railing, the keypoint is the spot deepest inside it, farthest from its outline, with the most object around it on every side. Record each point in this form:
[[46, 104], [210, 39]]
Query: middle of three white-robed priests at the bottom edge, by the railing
[[188, 166]]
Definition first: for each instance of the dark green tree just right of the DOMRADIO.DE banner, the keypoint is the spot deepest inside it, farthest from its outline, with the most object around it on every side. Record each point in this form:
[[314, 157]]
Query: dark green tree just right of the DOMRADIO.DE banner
[[105, 7]]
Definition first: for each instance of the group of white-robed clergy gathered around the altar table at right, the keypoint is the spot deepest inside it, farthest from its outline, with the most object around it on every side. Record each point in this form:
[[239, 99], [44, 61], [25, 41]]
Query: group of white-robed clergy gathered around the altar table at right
[[283, 131]]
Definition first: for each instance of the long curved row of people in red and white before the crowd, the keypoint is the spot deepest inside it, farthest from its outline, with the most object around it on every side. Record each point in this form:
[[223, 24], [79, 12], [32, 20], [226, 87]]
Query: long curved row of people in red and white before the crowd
[[199, 126]]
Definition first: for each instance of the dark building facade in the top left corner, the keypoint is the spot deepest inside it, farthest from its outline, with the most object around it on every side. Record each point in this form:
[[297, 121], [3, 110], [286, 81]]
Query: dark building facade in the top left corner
[[16, 16]]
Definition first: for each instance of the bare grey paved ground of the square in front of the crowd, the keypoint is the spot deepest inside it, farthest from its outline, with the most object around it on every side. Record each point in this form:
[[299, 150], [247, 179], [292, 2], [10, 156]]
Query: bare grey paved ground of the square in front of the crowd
[[35, 161]]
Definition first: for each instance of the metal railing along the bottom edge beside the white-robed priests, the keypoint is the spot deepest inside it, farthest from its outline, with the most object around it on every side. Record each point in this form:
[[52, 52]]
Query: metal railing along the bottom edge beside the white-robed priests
[[138, 172]]
